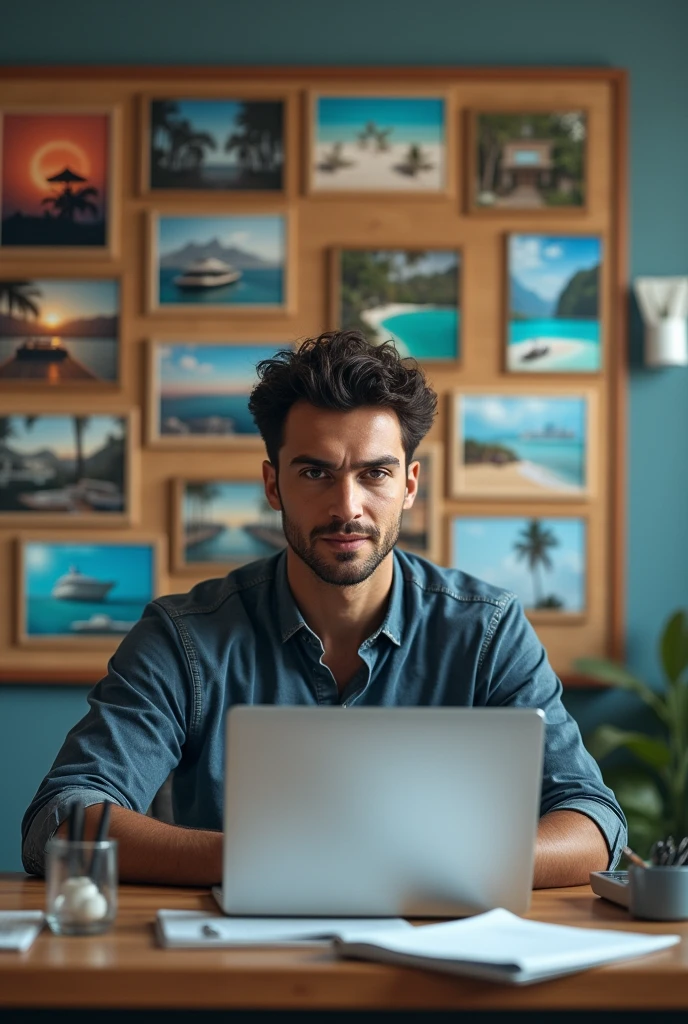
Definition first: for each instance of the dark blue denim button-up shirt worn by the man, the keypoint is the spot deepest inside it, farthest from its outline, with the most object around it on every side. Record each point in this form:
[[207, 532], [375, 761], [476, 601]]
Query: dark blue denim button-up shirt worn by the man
[[448, 641]]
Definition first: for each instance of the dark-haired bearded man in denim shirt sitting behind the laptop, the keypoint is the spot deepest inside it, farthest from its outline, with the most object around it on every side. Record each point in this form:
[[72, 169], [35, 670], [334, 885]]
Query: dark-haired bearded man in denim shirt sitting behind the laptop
[[340, 618]]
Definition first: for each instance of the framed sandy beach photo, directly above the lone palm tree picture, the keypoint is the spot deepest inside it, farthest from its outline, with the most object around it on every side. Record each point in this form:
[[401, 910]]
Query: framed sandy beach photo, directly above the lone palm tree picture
[[537, 446]]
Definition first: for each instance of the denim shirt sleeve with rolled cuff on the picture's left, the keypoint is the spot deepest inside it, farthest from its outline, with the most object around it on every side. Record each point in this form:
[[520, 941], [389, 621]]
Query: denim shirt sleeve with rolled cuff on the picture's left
[[130, 741]]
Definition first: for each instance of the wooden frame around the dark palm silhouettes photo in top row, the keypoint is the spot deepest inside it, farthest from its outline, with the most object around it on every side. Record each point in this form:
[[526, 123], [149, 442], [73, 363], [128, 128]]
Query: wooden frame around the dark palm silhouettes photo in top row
[[250, 196]]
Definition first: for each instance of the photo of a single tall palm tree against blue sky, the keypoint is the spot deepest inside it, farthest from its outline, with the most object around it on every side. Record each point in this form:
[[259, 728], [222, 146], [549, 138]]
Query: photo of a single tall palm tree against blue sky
[[543, 562]]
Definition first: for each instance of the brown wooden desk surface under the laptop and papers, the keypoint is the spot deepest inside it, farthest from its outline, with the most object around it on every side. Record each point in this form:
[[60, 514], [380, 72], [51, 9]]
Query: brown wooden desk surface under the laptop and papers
[[126, 969]]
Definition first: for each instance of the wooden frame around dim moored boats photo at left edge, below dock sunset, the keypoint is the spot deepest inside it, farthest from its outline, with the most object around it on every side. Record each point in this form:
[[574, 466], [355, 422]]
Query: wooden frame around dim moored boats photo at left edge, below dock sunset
[[132, 514]]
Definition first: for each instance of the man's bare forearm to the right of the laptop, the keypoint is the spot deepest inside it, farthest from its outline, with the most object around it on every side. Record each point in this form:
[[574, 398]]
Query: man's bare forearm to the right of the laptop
[[570, 847]]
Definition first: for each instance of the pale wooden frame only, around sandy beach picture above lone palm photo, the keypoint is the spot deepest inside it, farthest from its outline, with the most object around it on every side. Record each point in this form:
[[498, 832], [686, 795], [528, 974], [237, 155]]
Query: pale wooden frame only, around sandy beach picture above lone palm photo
[[460, 487]]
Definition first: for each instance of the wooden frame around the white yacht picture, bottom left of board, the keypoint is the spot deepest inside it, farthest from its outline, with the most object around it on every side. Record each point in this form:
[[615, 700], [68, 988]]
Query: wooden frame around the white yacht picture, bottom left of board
[[107, 538]]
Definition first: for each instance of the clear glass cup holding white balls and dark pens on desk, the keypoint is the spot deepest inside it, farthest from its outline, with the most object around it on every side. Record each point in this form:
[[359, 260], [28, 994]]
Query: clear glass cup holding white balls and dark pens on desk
[[81, 886]]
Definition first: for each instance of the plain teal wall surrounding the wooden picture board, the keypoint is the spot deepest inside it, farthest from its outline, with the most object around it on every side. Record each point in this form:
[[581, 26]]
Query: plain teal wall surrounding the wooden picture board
[[647, 37]]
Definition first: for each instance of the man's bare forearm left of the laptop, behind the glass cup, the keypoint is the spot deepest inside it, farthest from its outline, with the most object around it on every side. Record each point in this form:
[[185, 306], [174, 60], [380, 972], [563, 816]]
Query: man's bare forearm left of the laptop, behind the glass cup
[[153, 851]]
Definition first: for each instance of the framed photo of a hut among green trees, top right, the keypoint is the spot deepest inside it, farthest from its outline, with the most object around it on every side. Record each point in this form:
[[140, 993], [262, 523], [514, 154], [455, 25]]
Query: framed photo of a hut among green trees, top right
[[529, 161]]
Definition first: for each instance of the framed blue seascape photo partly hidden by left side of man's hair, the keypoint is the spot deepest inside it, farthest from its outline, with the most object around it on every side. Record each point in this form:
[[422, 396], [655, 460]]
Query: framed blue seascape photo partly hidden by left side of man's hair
[[199, 394]]
